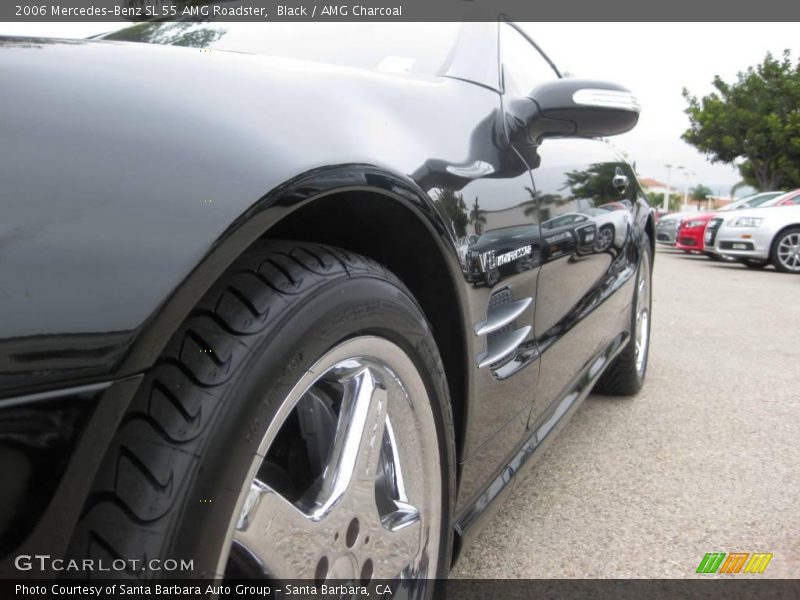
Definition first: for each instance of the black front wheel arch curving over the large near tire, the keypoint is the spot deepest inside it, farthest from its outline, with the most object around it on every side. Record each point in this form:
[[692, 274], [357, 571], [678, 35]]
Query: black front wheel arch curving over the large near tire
[[358, 207]]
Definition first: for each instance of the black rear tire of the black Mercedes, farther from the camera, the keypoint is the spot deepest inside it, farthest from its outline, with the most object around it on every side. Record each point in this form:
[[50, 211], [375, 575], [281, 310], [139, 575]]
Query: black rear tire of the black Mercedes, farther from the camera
[[622, 377]]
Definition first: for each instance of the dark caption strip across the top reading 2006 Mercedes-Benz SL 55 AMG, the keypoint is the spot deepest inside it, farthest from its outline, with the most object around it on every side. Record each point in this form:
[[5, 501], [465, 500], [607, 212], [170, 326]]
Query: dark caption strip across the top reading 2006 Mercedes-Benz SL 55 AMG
[[398, 10]]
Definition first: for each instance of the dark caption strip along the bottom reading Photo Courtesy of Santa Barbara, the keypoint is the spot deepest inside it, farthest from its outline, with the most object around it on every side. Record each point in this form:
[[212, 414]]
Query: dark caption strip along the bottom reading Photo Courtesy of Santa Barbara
[[729, 588]]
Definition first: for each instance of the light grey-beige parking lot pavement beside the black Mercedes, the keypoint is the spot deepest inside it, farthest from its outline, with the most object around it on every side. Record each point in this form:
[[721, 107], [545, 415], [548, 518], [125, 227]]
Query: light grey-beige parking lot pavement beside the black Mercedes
[[705, 459]]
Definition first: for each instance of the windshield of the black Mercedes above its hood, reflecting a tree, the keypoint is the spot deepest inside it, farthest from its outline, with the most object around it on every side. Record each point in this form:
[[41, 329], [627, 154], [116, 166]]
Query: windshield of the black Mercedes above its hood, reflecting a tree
[[412, 48]]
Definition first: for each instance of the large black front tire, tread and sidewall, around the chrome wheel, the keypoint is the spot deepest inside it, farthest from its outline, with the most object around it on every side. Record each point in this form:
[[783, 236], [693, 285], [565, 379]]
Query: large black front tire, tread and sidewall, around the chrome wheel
[[194, 426]]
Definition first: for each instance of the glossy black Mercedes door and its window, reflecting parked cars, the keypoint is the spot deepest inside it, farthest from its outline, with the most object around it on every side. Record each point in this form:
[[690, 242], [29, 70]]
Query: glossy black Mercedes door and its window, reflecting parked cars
[[585, 194]]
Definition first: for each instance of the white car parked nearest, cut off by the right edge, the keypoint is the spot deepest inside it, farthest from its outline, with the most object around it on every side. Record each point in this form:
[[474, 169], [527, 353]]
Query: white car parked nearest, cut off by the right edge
[[759, 236]]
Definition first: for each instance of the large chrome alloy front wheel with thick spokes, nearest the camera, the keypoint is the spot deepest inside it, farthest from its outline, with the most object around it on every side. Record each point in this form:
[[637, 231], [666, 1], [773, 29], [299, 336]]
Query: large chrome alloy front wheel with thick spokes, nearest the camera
[[370, 505]]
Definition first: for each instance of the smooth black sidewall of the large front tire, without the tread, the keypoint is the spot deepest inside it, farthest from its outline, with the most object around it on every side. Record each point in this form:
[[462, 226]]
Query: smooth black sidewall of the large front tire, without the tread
[[342, 309]]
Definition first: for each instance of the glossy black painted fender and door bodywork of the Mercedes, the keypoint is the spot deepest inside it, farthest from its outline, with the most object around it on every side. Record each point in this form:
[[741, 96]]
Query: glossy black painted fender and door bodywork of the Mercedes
[[132, 176]]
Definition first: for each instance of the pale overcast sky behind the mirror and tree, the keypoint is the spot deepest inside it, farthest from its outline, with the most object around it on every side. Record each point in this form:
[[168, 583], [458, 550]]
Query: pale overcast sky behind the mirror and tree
[[655, 60]]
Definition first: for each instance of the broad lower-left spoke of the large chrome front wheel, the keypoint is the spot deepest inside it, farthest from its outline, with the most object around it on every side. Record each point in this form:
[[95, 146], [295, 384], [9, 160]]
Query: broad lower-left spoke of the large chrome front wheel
[[270, 527]]
